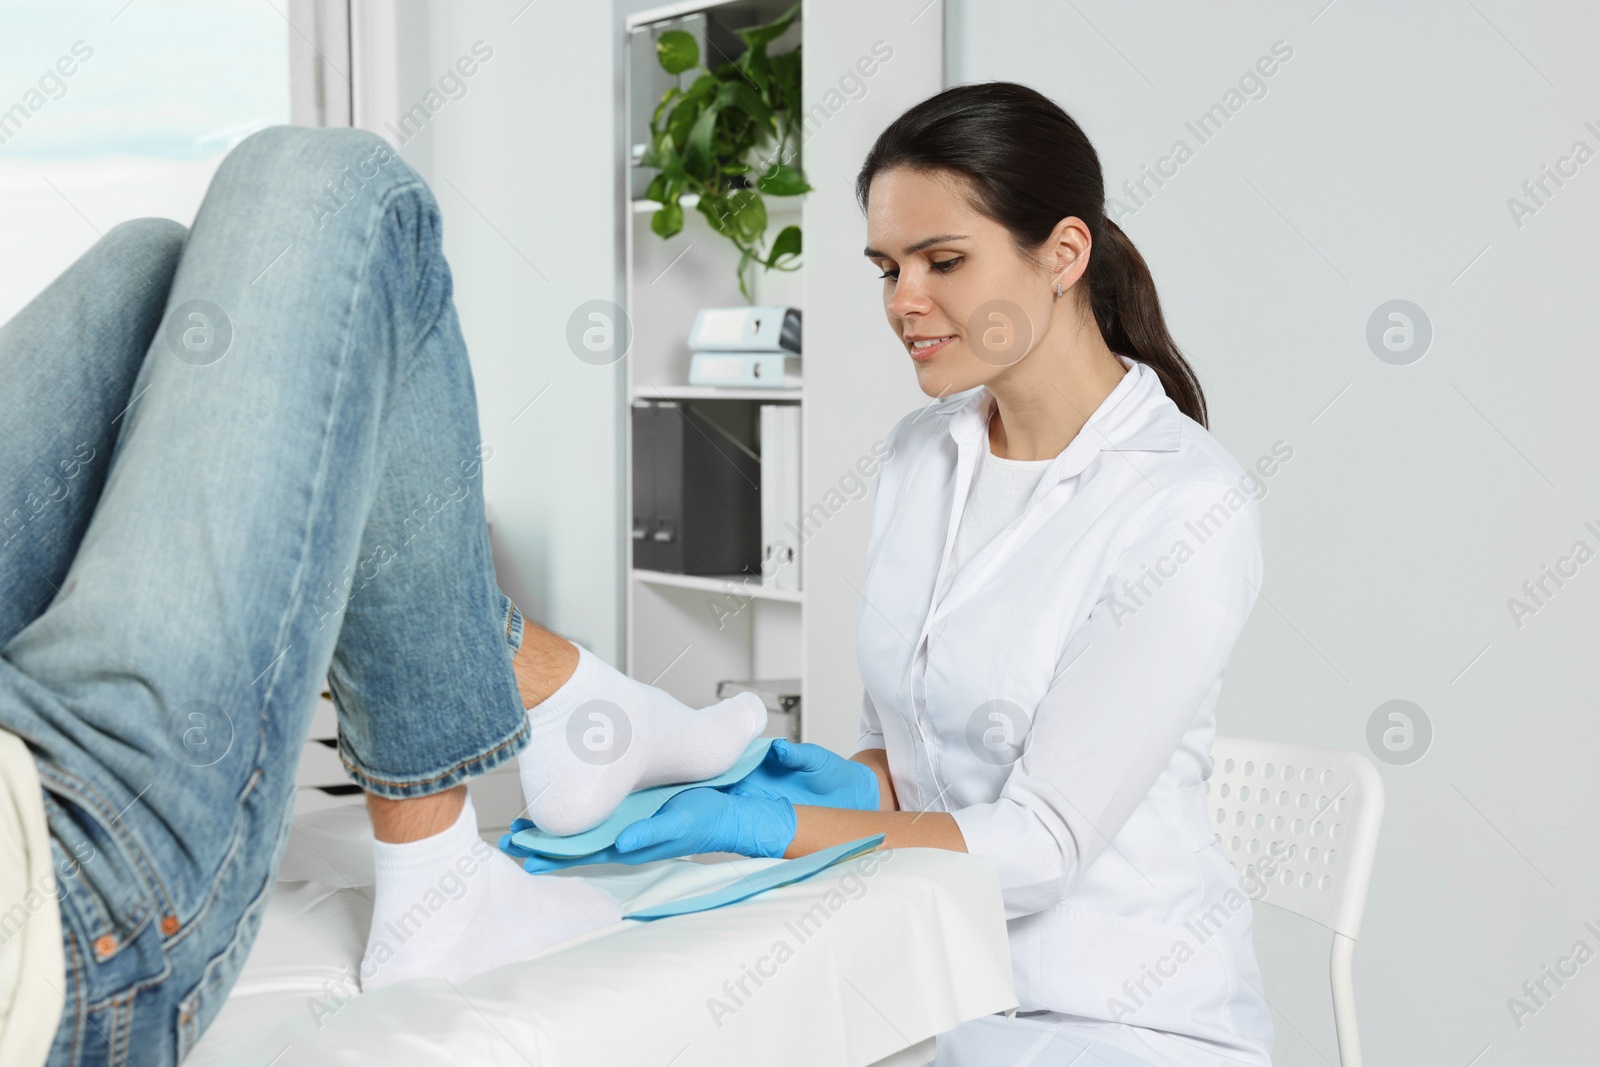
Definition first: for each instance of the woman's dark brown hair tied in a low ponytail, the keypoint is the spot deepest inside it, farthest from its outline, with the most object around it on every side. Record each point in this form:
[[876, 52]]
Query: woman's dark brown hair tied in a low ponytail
[[1030, 167]]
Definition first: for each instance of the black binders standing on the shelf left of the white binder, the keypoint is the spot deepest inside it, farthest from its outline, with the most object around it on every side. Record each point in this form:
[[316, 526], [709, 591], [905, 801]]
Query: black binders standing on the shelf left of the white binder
[[697, 492]]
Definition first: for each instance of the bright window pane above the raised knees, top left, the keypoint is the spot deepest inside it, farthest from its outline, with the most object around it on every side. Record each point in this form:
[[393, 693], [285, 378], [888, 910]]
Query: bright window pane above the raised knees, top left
[[122, 110]]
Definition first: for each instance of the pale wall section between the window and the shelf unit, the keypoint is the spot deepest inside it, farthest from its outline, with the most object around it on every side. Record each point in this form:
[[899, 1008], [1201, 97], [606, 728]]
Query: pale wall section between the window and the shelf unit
[[524, 169]]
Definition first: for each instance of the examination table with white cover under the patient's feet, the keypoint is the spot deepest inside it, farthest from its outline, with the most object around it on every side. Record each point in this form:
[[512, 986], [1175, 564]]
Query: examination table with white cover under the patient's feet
[[863, 964]]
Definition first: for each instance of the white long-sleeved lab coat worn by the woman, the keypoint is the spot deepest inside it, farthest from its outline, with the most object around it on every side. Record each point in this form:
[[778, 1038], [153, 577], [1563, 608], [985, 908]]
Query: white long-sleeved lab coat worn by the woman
[[1090, 636]]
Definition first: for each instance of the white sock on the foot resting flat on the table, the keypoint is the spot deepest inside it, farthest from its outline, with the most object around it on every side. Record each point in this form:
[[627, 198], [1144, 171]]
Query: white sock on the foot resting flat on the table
[[454, 906]]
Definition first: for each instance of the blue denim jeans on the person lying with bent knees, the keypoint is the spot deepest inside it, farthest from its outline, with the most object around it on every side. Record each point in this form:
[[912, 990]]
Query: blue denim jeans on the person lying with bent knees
[[239, 460]]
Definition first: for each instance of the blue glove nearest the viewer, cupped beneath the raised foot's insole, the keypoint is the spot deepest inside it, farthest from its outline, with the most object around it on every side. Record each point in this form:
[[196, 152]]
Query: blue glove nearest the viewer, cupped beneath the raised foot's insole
[[692, 823]]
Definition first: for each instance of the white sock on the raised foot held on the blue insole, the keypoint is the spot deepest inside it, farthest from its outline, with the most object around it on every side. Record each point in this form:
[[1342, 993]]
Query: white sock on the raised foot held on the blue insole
[[604, 735]]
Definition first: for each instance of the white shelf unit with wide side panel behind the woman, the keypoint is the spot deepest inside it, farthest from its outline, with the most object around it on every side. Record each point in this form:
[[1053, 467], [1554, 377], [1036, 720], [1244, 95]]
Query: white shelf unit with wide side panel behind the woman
[[686, 634]]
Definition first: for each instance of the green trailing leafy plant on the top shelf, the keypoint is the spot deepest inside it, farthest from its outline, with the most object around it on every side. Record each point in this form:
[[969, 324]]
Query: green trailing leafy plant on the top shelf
[[730, 140]]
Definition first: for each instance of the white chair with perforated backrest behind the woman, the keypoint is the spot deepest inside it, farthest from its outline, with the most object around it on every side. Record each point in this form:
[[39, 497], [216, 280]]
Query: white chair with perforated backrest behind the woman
[[1302, 828]]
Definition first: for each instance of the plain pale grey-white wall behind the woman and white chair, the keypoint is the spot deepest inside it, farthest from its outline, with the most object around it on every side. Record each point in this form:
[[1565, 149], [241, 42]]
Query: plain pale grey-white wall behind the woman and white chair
[[1378, 167]]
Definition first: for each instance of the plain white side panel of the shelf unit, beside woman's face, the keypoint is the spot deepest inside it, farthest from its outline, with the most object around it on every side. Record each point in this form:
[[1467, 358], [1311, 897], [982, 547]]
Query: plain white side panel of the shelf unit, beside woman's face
[[858, 382]]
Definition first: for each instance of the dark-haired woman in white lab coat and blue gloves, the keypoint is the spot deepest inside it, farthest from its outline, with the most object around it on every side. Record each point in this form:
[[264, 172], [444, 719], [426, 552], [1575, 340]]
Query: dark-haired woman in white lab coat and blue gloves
[[1062, 561]]
